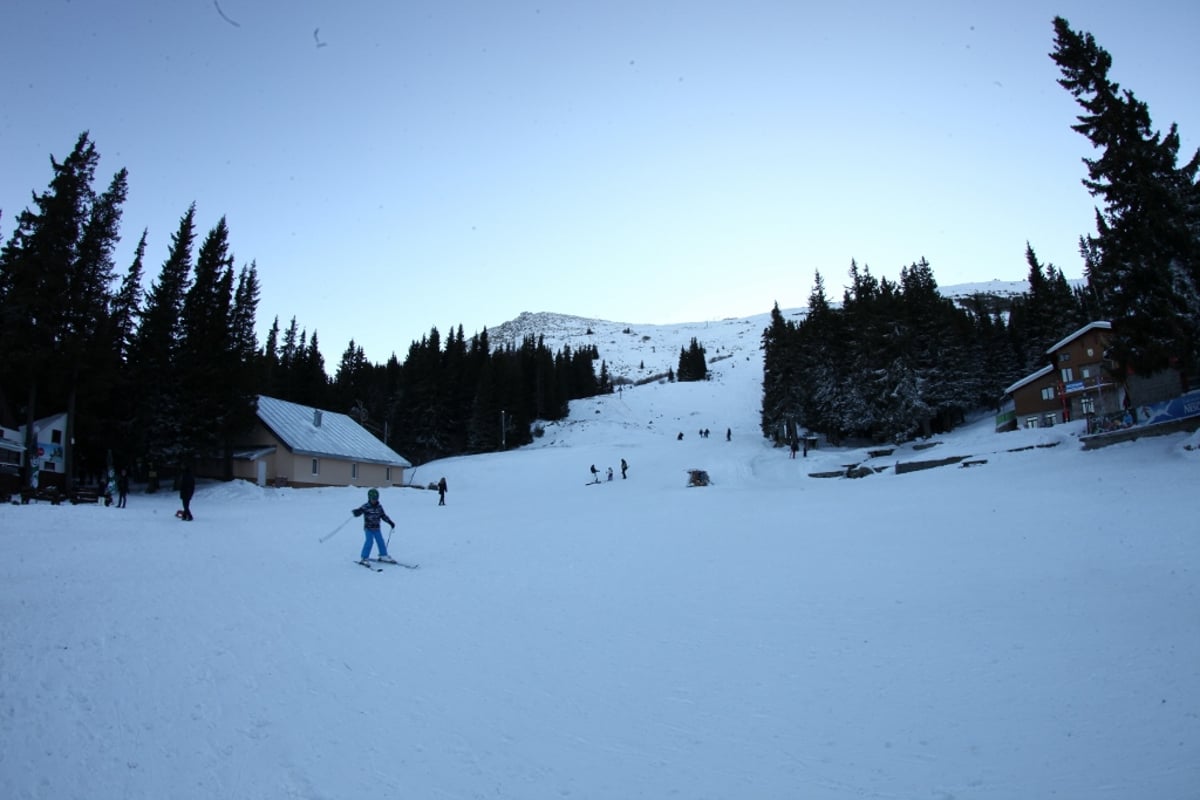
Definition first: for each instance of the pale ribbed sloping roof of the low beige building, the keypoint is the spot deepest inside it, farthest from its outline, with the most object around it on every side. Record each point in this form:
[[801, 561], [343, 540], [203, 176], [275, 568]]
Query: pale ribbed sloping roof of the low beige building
[[315, 432]]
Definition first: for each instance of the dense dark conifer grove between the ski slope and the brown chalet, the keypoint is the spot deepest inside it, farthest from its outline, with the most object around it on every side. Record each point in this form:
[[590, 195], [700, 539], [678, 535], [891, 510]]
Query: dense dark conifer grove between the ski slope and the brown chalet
[[899, 360]]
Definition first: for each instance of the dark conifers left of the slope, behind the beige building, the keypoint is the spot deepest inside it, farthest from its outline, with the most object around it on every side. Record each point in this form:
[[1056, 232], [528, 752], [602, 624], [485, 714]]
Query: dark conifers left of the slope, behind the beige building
[[159, 377]]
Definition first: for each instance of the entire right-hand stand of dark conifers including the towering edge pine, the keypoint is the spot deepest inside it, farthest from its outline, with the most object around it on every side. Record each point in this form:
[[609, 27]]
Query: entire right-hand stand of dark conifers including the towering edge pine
[[898, 360]]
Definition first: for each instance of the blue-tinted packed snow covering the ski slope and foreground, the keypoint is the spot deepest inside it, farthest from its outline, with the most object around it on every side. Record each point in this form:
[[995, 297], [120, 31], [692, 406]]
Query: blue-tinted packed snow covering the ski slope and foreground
[[1023, 628]]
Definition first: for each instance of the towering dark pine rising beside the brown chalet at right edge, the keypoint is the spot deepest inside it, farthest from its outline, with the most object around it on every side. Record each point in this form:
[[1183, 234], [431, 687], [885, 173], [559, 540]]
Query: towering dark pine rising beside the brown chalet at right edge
[[1144, 262]]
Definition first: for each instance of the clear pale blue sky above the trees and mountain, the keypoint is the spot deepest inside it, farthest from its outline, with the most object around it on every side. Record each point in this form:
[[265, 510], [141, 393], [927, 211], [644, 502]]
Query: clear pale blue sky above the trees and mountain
[[394, 167]]
